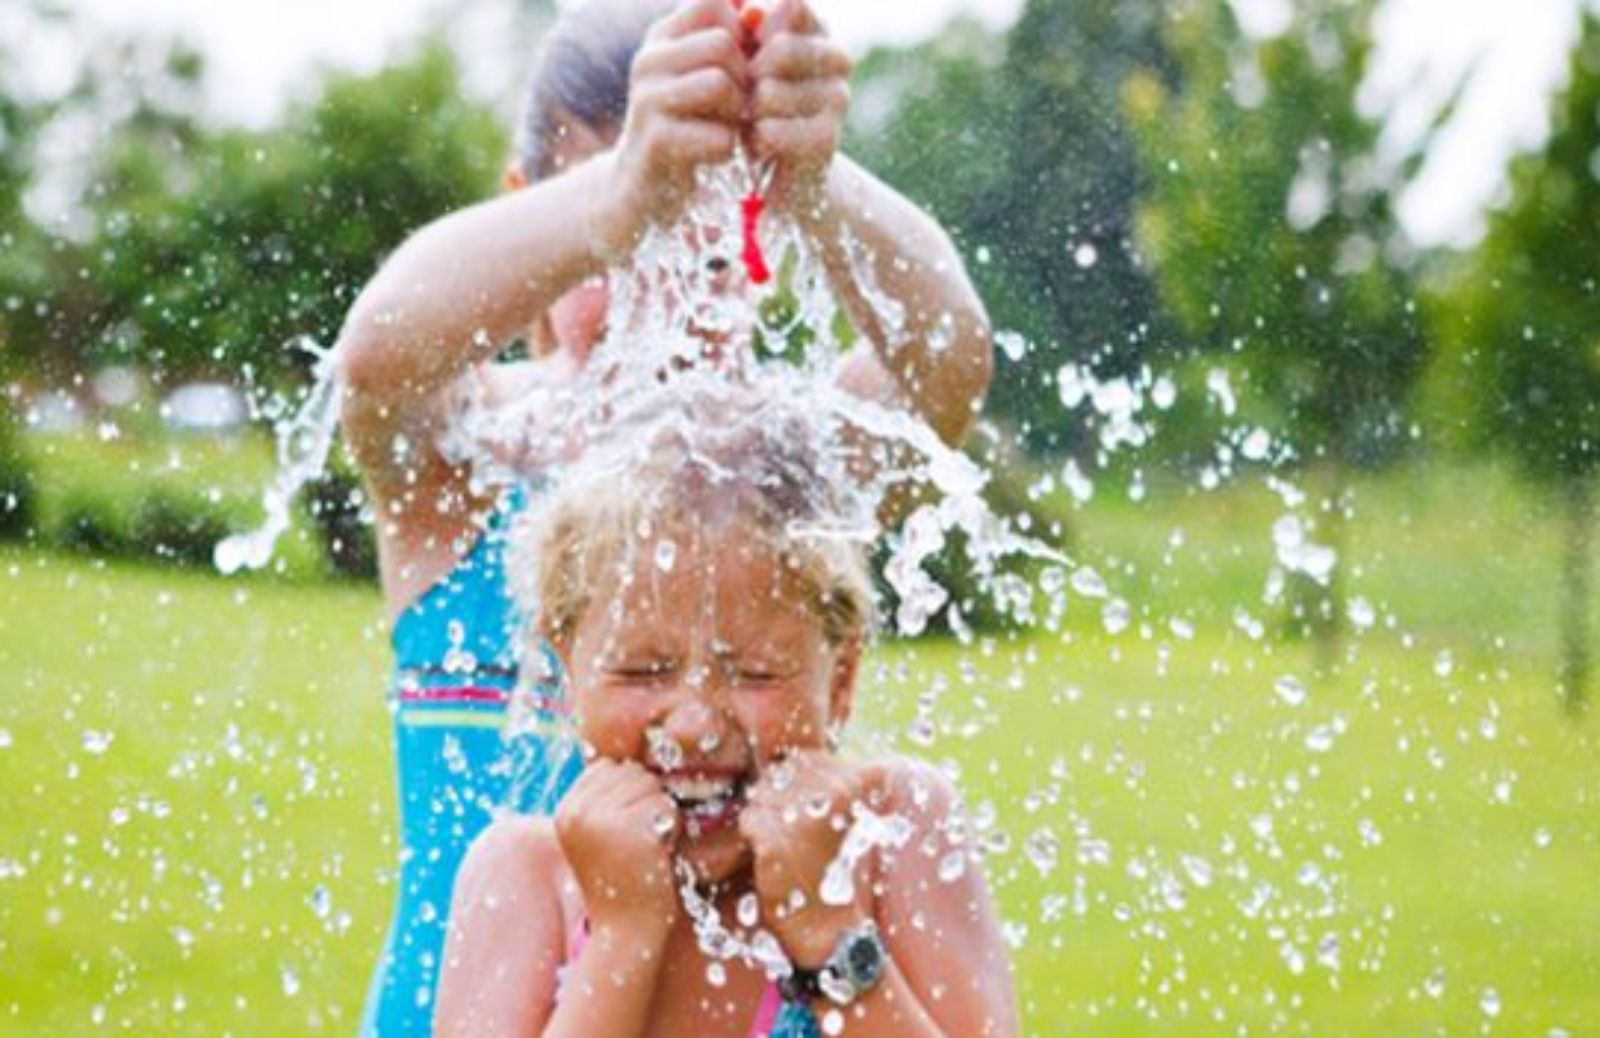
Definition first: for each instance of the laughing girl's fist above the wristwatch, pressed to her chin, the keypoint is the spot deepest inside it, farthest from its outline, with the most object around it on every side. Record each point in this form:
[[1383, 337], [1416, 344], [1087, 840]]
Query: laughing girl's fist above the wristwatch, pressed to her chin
[[796, 818]]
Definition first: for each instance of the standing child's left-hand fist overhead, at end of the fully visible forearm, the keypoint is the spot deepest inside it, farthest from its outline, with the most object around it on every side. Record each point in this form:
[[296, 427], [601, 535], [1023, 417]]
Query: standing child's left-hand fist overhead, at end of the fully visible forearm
[[687, 98]]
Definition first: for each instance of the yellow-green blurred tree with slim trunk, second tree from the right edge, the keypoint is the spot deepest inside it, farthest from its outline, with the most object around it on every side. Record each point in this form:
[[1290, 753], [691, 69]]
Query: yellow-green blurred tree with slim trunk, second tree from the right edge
[[1273, 233]]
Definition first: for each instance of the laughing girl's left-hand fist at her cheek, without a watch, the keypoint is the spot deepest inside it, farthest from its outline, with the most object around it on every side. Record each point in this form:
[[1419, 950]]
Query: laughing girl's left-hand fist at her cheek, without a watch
[[617, 829]]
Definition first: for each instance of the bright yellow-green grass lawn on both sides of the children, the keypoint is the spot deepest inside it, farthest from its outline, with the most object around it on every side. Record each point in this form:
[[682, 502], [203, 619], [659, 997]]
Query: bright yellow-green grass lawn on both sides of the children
[[1452, 829]]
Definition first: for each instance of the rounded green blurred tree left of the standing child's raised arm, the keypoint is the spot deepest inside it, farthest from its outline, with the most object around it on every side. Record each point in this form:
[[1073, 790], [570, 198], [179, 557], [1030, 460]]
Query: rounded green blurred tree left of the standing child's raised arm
[[210, 252]]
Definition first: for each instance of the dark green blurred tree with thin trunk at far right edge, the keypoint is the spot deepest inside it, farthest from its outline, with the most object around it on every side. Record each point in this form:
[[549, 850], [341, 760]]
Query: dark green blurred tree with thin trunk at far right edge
[[1522, 321]]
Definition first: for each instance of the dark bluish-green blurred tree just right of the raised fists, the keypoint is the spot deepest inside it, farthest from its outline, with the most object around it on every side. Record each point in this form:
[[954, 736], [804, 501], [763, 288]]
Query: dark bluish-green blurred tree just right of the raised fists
[[1047, 183]]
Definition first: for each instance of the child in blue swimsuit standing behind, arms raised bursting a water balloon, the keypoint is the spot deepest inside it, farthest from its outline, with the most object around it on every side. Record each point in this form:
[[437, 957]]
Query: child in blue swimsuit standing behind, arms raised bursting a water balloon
[[630, 100]]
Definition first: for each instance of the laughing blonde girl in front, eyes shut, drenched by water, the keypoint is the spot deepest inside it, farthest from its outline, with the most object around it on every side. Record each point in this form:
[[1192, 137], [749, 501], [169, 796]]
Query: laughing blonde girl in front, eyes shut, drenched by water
[[711, 682]]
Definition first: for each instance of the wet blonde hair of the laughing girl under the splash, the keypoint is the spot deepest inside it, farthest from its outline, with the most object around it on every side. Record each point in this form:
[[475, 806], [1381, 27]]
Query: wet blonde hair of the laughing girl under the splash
[[722, 463]]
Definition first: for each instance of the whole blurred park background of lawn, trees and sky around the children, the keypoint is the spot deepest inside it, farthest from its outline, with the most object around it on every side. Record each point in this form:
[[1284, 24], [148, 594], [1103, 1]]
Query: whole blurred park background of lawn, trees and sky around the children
[[1300, 359]]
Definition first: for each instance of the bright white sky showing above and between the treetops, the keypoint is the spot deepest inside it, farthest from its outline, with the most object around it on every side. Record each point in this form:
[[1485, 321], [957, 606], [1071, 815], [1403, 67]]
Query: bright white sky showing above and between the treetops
[[1513, 50]]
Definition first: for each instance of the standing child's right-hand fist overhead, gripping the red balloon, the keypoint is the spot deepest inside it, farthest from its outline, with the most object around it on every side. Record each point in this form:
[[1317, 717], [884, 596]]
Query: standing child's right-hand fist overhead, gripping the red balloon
[[799, 102]]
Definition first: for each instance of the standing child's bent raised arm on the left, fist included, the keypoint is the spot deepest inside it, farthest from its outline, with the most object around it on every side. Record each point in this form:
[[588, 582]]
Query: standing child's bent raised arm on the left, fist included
[[465, 285]]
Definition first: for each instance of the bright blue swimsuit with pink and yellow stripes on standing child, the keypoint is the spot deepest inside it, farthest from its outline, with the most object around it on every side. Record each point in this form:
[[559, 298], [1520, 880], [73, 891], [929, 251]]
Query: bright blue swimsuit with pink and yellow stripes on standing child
[[455, 673]]
